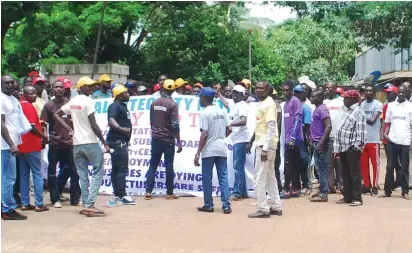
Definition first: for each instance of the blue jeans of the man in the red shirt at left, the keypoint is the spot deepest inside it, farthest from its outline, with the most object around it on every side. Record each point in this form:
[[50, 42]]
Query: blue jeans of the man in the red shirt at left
[[31, 162]]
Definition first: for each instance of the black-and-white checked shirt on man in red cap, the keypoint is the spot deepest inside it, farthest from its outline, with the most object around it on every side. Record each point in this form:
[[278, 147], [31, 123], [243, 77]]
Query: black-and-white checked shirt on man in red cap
[[352, 130]]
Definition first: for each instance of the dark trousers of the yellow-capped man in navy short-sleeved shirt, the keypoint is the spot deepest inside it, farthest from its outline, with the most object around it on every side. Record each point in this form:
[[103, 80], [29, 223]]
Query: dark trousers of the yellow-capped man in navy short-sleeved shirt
[[120, 167]]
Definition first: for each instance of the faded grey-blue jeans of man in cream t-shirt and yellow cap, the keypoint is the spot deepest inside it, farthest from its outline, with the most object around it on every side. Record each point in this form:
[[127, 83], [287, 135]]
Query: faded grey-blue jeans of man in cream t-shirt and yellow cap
[[84, 155]]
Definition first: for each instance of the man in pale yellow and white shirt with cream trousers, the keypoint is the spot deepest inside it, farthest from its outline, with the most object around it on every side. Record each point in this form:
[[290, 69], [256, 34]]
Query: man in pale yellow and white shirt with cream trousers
[[266, 137]]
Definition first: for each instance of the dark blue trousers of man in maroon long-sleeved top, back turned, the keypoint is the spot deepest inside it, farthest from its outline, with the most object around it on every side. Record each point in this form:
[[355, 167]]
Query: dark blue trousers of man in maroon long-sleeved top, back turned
[[160, 147]]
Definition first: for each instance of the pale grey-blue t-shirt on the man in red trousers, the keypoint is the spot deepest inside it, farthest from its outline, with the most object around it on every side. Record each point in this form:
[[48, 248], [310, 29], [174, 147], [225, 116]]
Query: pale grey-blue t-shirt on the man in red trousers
[[372, 131]]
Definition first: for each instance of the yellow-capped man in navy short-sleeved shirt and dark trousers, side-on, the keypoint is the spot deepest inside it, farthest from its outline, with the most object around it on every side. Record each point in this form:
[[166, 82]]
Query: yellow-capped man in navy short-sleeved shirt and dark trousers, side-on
[[118, 139]]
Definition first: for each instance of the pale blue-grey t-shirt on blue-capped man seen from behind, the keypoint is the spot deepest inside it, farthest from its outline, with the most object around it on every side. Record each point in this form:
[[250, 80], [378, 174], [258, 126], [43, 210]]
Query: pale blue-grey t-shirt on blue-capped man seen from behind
[[214, 120]]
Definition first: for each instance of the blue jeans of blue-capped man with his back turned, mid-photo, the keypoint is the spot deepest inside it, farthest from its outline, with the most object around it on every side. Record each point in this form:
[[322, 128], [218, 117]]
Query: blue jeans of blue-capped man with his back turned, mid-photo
[[207, 176]]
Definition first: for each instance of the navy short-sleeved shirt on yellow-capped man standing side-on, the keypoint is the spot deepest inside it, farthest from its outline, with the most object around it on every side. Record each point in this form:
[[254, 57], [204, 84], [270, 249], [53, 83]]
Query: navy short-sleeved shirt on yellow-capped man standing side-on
[[118, 111]]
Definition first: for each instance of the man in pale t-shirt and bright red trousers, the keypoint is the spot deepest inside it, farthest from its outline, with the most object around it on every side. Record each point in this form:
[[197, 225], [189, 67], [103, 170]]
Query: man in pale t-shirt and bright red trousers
[[372, 109]]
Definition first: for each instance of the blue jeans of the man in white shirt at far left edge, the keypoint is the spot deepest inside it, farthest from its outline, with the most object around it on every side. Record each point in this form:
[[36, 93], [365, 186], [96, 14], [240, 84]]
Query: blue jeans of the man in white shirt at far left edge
[[8, 178]]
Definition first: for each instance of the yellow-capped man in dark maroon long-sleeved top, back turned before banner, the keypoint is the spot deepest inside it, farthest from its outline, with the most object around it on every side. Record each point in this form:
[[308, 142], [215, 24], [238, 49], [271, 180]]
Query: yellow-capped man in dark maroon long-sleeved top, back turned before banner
[[164, 121]]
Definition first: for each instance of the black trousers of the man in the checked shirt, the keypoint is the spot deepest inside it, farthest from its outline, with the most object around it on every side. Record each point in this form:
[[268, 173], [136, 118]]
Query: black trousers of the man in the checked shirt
[[351, 173]]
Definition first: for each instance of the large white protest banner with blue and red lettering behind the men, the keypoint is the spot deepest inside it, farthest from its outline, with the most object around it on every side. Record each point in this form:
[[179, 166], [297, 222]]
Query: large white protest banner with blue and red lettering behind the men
[[188, 178]]
